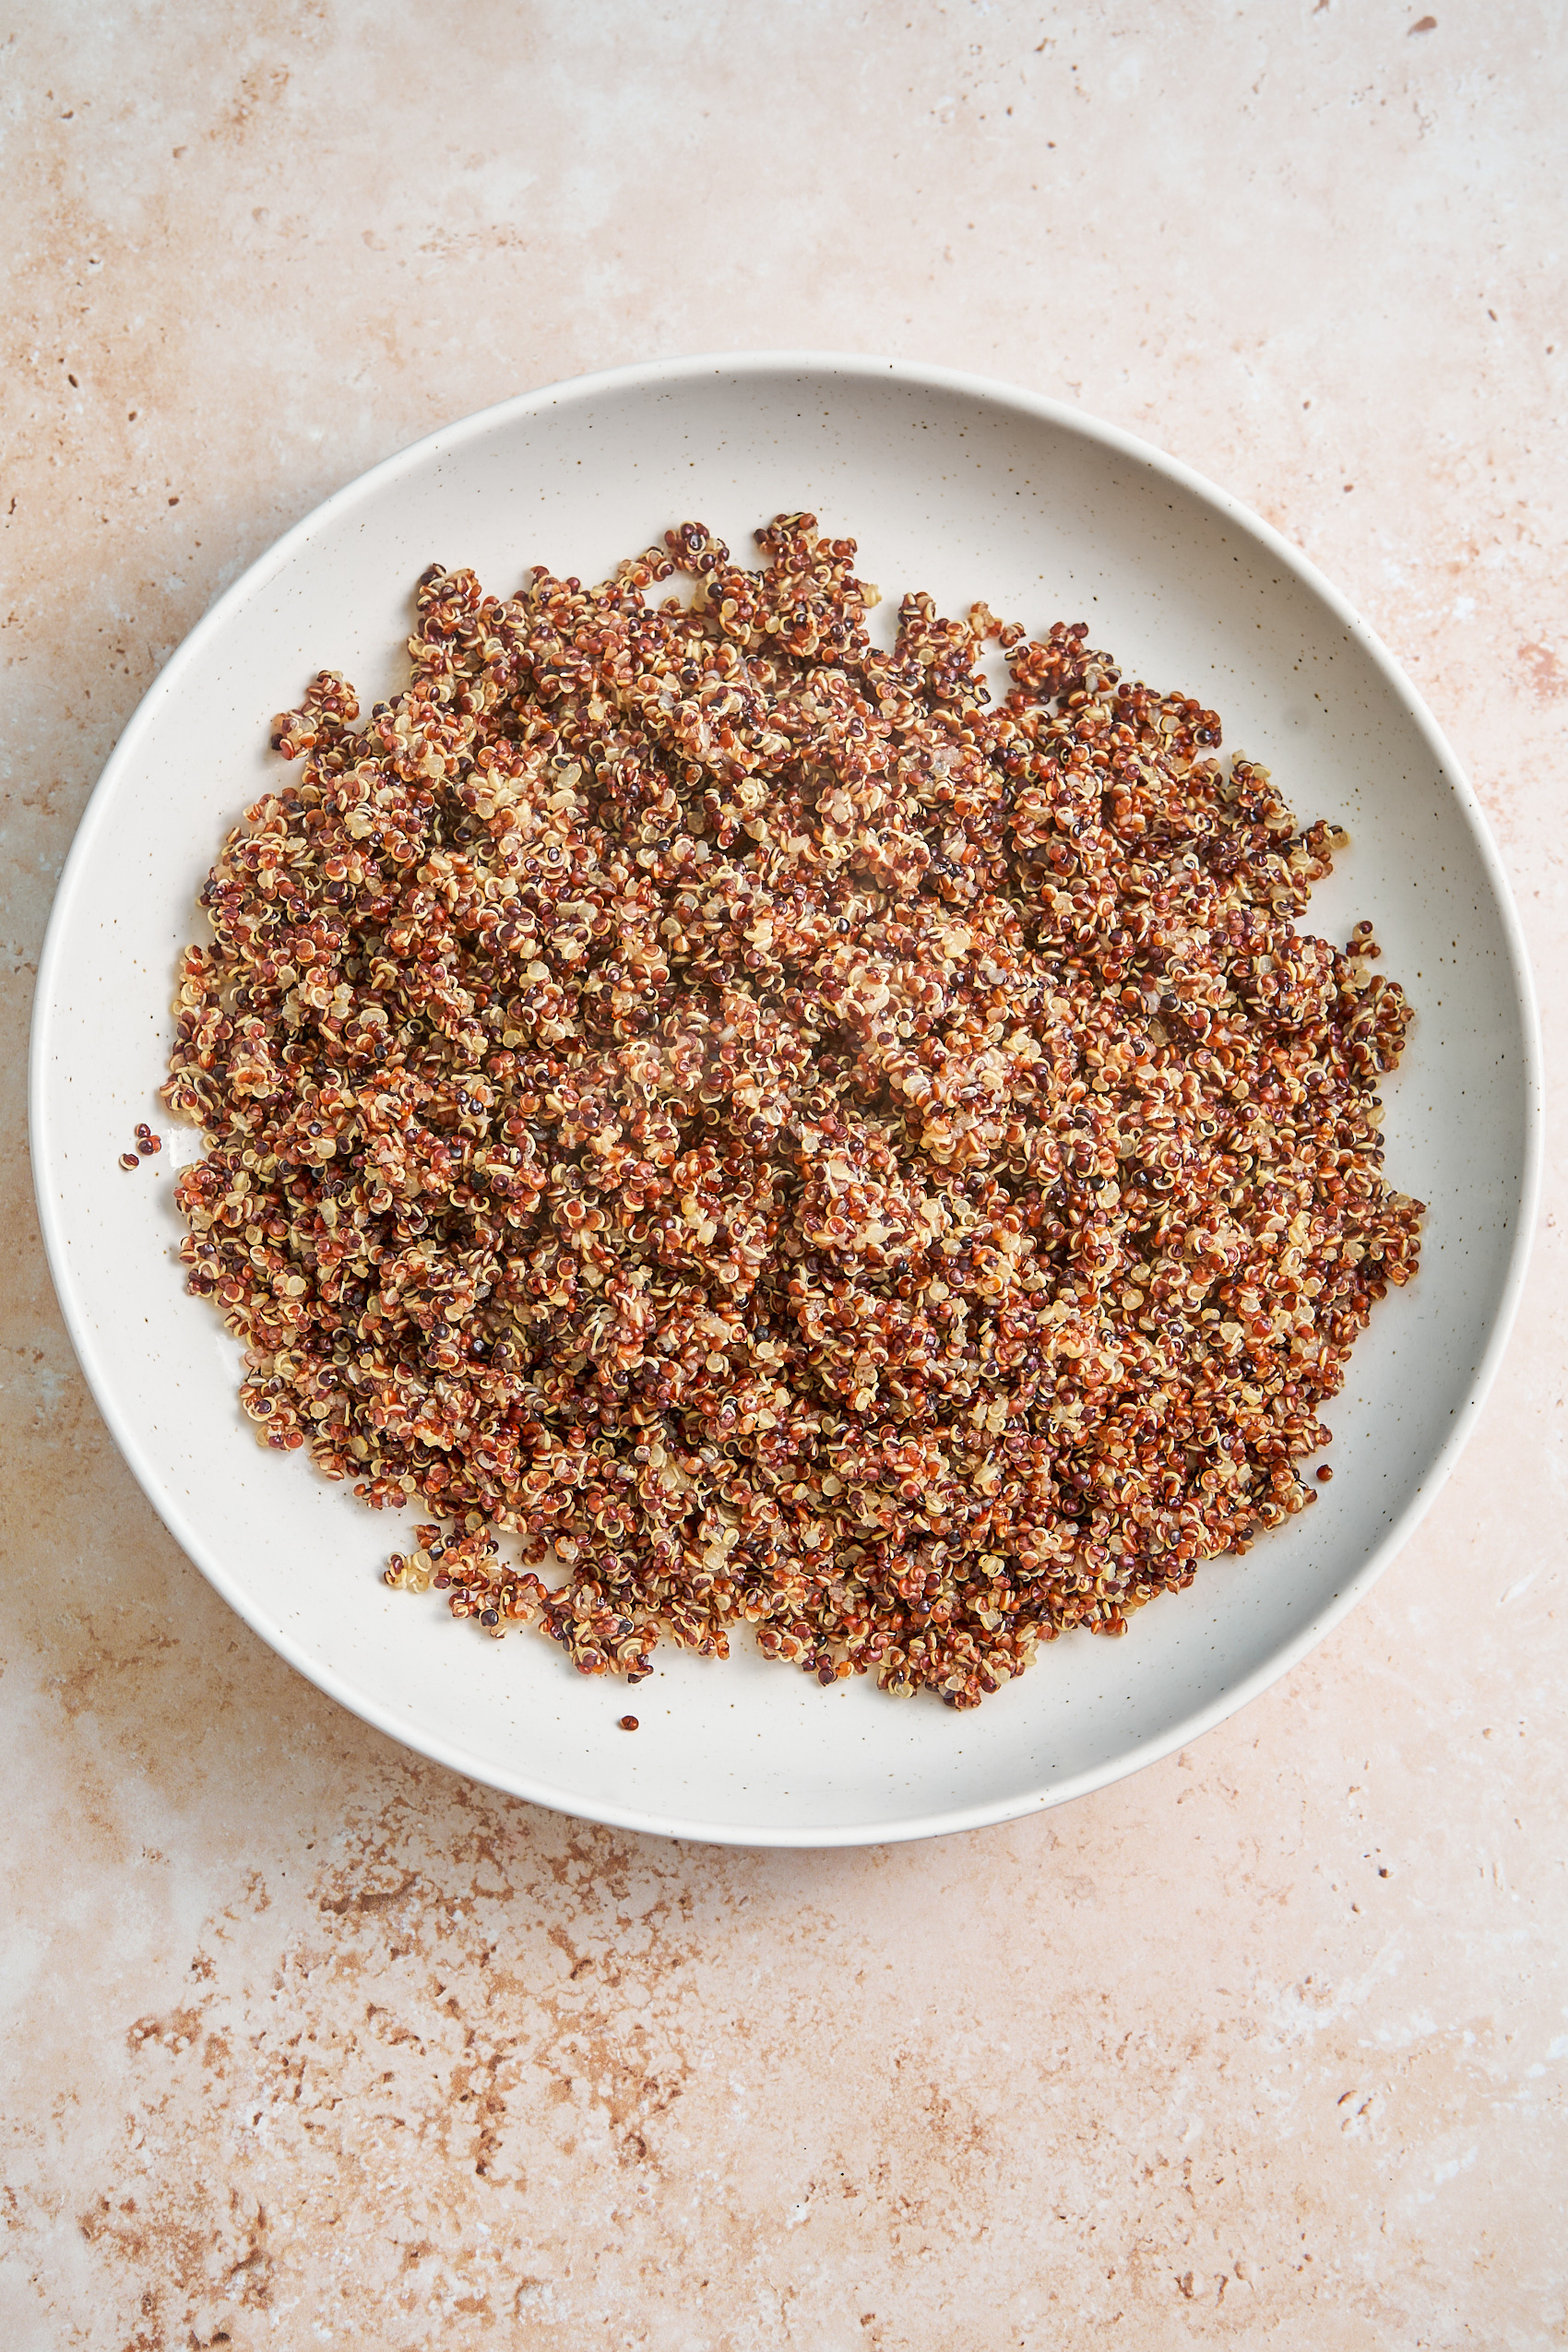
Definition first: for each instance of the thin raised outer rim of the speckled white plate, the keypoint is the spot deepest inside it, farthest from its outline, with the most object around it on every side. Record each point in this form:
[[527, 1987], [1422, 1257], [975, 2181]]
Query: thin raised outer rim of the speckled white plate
[[864, 368]]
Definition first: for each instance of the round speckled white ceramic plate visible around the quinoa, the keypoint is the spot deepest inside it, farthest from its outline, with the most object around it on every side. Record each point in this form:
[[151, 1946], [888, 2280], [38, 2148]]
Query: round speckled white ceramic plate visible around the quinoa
[[970, 490]]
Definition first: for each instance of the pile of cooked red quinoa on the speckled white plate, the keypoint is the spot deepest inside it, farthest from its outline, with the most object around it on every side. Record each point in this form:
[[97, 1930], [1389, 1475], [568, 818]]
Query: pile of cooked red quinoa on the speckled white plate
[[739, 1123]]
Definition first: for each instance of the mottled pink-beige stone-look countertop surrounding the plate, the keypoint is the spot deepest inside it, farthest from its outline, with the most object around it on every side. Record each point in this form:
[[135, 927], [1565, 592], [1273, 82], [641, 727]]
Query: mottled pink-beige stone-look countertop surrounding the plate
[[309, 2043]]
